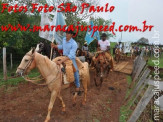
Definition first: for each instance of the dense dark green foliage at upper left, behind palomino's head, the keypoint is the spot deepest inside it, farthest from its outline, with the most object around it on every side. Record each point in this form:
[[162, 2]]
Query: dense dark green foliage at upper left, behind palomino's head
[[18, 42]]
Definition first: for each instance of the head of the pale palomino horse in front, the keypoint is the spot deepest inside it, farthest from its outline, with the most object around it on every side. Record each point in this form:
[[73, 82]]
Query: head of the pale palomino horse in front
[[27, 63]]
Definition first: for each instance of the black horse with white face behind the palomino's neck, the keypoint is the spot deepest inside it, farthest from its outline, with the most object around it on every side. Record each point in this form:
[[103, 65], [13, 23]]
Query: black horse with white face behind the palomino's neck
[[45, 48]]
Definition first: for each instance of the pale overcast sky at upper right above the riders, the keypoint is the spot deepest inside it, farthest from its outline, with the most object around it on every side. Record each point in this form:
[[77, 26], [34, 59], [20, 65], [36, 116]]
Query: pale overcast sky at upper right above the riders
[[134, 12]]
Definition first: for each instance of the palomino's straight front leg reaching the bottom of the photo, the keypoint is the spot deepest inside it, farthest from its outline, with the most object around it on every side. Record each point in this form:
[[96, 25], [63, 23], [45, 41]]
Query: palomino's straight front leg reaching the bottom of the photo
[[52, 99]]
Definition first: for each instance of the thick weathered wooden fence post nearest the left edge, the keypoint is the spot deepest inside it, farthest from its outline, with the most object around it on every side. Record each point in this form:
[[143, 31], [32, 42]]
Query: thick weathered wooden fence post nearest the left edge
[[4, 64]]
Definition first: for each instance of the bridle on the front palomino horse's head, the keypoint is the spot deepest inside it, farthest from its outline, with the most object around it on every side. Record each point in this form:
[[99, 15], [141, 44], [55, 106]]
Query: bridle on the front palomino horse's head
[[28, 64]]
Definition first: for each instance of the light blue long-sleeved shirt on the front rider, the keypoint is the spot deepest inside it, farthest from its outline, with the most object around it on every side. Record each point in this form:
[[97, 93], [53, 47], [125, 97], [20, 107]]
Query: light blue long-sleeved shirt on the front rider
[[69, 48]]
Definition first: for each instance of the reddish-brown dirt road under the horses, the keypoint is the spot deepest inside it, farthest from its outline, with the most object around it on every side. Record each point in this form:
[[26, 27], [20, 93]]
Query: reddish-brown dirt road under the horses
[[28, 102]]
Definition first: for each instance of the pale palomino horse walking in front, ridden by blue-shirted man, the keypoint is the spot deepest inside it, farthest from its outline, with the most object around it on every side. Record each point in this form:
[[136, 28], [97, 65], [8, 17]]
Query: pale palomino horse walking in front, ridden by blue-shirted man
[[52, 74]]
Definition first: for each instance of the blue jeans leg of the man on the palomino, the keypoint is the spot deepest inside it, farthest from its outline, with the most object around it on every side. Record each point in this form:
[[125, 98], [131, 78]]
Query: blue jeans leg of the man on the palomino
[[76, 74]]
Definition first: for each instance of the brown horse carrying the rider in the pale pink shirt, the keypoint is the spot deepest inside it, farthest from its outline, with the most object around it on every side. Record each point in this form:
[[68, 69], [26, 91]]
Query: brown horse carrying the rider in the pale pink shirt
[[103, 62]]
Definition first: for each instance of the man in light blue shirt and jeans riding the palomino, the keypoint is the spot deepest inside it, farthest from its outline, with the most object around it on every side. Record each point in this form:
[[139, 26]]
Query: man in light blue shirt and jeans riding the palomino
[[69, 47]]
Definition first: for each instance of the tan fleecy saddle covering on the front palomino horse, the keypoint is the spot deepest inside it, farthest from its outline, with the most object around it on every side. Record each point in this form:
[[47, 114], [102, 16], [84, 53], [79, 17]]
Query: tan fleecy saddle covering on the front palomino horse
[[69, 69]]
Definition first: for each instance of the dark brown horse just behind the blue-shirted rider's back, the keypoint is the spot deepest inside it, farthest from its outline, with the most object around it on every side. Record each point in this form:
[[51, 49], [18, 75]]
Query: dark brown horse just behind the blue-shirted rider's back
[[88, 55]]
